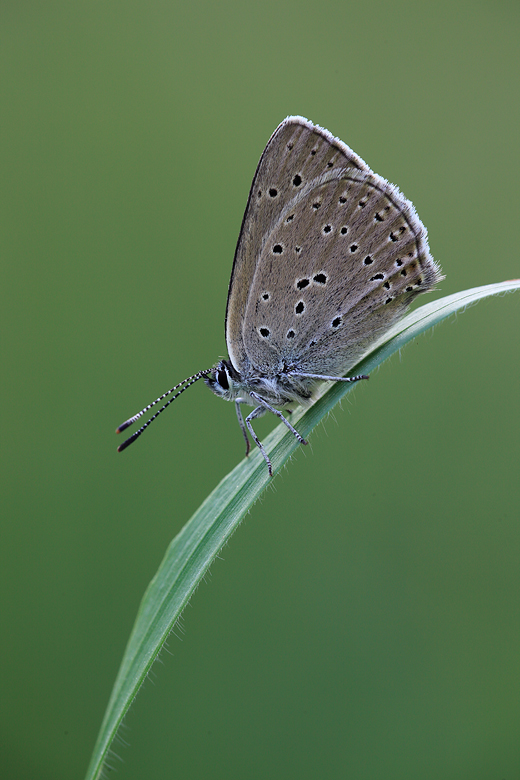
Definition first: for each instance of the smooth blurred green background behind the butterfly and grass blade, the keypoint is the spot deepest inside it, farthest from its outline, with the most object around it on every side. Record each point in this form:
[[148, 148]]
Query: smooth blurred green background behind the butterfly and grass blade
[[364, 621]]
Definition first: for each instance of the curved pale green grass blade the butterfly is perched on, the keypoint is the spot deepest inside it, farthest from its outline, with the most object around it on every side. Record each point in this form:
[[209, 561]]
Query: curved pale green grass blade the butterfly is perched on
[[191, 552]]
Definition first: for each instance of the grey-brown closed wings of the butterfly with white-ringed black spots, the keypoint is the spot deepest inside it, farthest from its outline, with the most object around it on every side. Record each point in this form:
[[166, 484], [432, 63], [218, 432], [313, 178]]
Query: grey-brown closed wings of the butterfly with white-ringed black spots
[[329, 256]]
